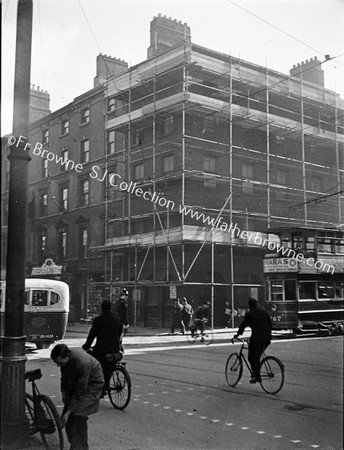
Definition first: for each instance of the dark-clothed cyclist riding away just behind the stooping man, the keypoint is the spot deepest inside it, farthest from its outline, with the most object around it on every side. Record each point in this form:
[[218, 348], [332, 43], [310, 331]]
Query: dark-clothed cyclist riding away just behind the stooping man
[[107, 330]]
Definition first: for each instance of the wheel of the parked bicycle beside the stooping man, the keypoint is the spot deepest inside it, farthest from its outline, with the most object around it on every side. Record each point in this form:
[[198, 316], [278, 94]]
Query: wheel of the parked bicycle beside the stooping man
[[47, 421]]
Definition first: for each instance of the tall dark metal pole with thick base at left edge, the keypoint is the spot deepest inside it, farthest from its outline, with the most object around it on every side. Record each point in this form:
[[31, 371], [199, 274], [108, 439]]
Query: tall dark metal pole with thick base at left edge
[[14, 423]]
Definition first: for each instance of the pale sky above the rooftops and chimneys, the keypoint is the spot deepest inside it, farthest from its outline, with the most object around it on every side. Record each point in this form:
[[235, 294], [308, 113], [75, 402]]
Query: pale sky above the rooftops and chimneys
[[69, 34]]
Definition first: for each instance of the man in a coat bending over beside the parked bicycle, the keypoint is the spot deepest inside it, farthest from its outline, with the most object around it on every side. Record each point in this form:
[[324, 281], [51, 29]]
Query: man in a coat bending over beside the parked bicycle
[[82, 384]]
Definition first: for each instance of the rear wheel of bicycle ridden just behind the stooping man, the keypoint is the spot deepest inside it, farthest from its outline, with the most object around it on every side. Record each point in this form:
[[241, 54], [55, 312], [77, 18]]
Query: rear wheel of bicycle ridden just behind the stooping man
[[119, 388]]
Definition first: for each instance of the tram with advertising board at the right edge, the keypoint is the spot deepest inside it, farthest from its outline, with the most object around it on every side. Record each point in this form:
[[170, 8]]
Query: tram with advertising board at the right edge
[[304, 275]]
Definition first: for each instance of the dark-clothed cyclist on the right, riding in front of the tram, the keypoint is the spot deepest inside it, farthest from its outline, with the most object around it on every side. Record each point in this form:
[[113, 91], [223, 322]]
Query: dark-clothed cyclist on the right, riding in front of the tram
[[261, 325]]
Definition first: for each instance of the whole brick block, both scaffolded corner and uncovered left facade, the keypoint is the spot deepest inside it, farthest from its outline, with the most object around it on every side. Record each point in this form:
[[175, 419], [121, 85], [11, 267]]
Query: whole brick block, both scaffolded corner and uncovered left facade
[[177, 167]]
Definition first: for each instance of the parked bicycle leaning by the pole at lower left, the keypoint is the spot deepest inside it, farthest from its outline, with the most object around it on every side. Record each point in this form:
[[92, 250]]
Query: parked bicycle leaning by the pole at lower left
[[42, 414]]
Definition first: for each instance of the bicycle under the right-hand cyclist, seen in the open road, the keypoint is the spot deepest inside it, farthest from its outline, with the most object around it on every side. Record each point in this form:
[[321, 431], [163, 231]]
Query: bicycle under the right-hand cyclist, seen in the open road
[[271, 370]]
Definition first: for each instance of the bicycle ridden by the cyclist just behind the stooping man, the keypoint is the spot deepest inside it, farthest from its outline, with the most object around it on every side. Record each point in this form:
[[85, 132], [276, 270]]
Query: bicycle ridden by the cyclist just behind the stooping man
[[119, 388]]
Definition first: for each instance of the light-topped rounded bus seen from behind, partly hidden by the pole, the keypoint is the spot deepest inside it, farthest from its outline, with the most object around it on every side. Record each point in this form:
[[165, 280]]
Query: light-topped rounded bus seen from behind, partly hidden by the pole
[[46, 310]]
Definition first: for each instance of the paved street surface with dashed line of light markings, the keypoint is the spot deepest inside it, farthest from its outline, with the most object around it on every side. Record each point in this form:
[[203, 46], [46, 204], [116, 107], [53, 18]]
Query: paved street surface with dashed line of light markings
[[180, 399]]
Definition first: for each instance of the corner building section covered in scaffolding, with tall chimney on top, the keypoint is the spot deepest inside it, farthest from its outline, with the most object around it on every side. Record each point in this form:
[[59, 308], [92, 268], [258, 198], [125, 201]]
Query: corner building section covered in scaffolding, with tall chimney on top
[[202, 146]]
